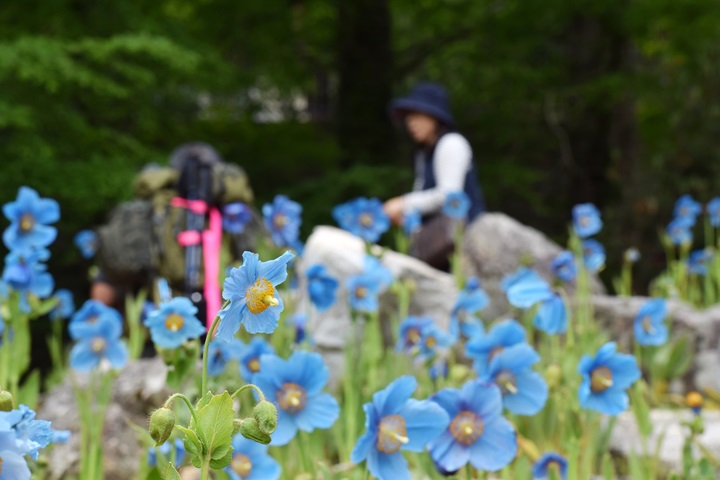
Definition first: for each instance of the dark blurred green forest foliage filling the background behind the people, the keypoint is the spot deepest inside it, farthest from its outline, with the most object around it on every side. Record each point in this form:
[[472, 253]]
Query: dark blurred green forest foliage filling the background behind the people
[[614, 102]]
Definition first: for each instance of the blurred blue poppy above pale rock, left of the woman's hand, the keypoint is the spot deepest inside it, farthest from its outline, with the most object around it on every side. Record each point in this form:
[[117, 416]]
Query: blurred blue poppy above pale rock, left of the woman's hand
[[363, 217]]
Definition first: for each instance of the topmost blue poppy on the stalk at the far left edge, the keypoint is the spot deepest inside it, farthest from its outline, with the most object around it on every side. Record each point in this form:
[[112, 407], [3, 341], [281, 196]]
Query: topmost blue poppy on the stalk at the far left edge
[[30, 217]]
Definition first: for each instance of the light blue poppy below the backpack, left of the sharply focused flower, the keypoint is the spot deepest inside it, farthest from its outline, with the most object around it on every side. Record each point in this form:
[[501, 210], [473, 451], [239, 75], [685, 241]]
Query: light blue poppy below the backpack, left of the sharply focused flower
[[174, 323]]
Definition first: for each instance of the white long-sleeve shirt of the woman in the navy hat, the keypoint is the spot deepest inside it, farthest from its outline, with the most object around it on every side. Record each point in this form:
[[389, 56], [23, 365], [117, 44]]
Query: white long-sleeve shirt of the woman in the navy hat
[[453, 159]]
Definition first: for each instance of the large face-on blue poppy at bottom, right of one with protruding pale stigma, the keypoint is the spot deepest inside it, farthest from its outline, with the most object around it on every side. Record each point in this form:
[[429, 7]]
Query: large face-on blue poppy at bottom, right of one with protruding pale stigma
[[478, 433]]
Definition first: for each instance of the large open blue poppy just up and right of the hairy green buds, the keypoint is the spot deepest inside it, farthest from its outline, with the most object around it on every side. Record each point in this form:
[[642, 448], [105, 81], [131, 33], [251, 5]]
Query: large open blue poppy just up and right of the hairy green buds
[[296, 386]]
